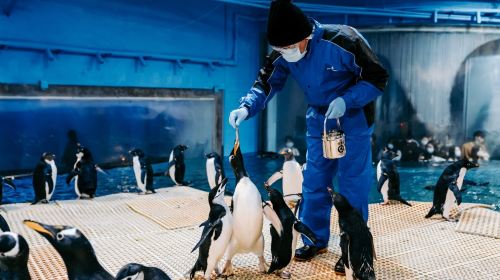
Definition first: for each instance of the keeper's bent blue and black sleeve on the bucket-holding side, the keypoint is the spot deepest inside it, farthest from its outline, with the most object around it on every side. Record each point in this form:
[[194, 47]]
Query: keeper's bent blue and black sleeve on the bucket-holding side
[[371, 75]]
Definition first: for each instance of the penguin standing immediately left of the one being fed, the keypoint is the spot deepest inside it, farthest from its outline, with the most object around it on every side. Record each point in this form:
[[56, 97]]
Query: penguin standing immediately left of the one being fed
[[216, 234]]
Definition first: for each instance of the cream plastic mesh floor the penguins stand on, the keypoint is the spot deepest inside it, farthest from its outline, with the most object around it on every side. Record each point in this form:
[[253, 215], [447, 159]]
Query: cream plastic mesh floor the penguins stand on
[[160, 230]]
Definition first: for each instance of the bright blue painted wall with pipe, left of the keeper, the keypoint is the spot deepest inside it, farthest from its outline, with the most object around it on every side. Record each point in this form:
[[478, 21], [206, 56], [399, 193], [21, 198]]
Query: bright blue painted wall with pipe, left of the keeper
[[198, 30]]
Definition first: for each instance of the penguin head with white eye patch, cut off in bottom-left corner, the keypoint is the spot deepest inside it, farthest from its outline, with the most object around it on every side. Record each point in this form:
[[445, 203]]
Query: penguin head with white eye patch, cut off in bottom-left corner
[[14, 253]]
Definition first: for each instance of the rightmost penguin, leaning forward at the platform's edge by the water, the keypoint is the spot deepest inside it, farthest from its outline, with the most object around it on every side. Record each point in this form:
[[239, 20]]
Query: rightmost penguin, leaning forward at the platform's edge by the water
[[447, 189]]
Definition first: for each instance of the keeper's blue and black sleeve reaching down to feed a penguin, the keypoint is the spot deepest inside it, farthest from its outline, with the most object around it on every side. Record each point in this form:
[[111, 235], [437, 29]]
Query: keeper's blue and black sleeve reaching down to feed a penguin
[[271, 78]]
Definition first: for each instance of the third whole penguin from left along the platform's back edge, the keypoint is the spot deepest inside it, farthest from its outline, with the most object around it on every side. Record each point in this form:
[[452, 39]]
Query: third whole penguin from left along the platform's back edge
[[143, 171]]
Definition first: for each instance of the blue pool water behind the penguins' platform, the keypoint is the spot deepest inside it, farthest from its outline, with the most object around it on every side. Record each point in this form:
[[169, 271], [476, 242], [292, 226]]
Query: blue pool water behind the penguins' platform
[[413, 180]]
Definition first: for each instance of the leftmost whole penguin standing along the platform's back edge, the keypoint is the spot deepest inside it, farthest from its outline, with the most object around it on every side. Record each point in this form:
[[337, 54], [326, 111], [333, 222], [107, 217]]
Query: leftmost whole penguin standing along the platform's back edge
[[44, 178]]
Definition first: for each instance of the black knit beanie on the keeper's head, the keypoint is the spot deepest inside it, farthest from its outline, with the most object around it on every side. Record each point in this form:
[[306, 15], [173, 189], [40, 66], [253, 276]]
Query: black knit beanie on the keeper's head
[[286, 24]]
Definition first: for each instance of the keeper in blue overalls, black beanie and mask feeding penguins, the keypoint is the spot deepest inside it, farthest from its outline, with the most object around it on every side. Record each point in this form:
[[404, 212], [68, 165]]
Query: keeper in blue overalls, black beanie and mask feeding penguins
[[341, 78]]
